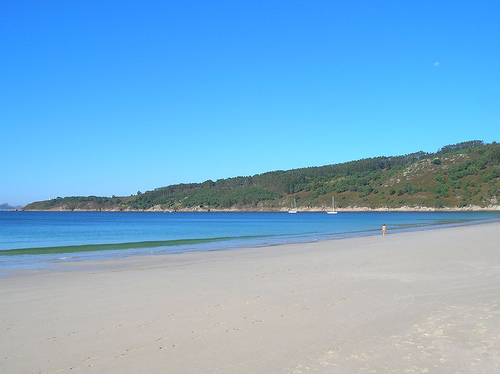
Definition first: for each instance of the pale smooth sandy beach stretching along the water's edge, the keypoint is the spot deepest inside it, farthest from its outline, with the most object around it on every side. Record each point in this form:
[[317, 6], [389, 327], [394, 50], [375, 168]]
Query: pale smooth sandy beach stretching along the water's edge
[[420, 302]]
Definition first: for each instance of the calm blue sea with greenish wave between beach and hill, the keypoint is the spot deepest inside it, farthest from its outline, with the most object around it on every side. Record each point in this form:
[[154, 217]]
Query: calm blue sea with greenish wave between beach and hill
[[35, 240]]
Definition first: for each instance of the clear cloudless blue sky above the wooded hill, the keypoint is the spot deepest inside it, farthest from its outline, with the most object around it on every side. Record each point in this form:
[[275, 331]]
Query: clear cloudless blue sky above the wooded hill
[[114, 97]]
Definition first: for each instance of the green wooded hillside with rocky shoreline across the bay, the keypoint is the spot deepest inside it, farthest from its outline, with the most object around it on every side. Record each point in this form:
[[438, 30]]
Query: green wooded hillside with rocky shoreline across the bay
[[463, 175]]
